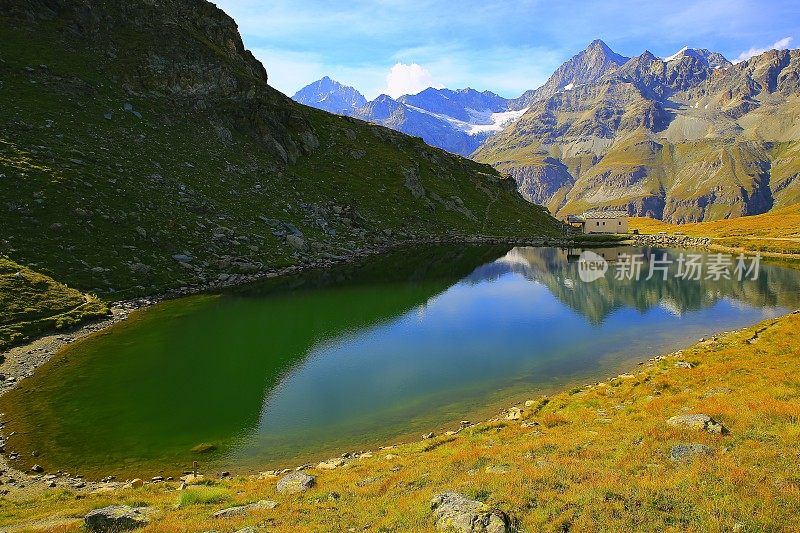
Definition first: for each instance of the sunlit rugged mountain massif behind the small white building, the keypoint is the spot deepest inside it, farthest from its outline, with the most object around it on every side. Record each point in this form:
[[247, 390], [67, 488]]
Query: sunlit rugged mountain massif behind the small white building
[[687, 139]]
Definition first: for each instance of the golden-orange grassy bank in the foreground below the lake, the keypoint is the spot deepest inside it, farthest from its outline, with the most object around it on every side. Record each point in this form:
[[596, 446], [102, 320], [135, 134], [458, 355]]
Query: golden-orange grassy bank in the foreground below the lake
[[734, 378]]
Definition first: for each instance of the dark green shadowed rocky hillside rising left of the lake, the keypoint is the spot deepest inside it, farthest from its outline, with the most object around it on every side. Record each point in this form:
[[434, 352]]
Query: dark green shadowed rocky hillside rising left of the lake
[[142, 148]]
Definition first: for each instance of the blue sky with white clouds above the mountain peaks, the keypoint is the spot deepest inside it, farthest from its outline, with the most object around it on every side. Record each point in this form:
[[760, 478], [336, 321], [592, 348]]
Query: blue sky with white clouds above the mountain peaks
[[403, 46]]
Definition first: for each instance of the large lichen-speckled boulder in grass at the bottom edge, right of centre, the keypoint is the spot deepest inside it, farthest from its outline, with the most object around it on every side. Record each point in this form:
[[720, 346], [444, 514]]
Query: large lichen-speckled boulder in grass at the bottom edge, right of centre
[[456, 512]]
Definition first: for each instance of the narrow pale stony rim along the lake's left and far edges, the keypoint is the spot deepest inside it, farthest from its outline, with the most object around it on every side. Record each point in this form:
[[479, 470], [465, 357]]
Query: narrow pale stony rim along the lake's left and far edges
[[21, 362]]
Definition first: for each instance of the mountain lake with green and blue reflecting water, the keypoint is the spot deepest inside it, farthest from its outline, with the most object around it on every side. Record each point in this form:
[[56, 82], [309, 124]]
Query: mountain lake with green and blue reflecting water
[[299, 369]]
